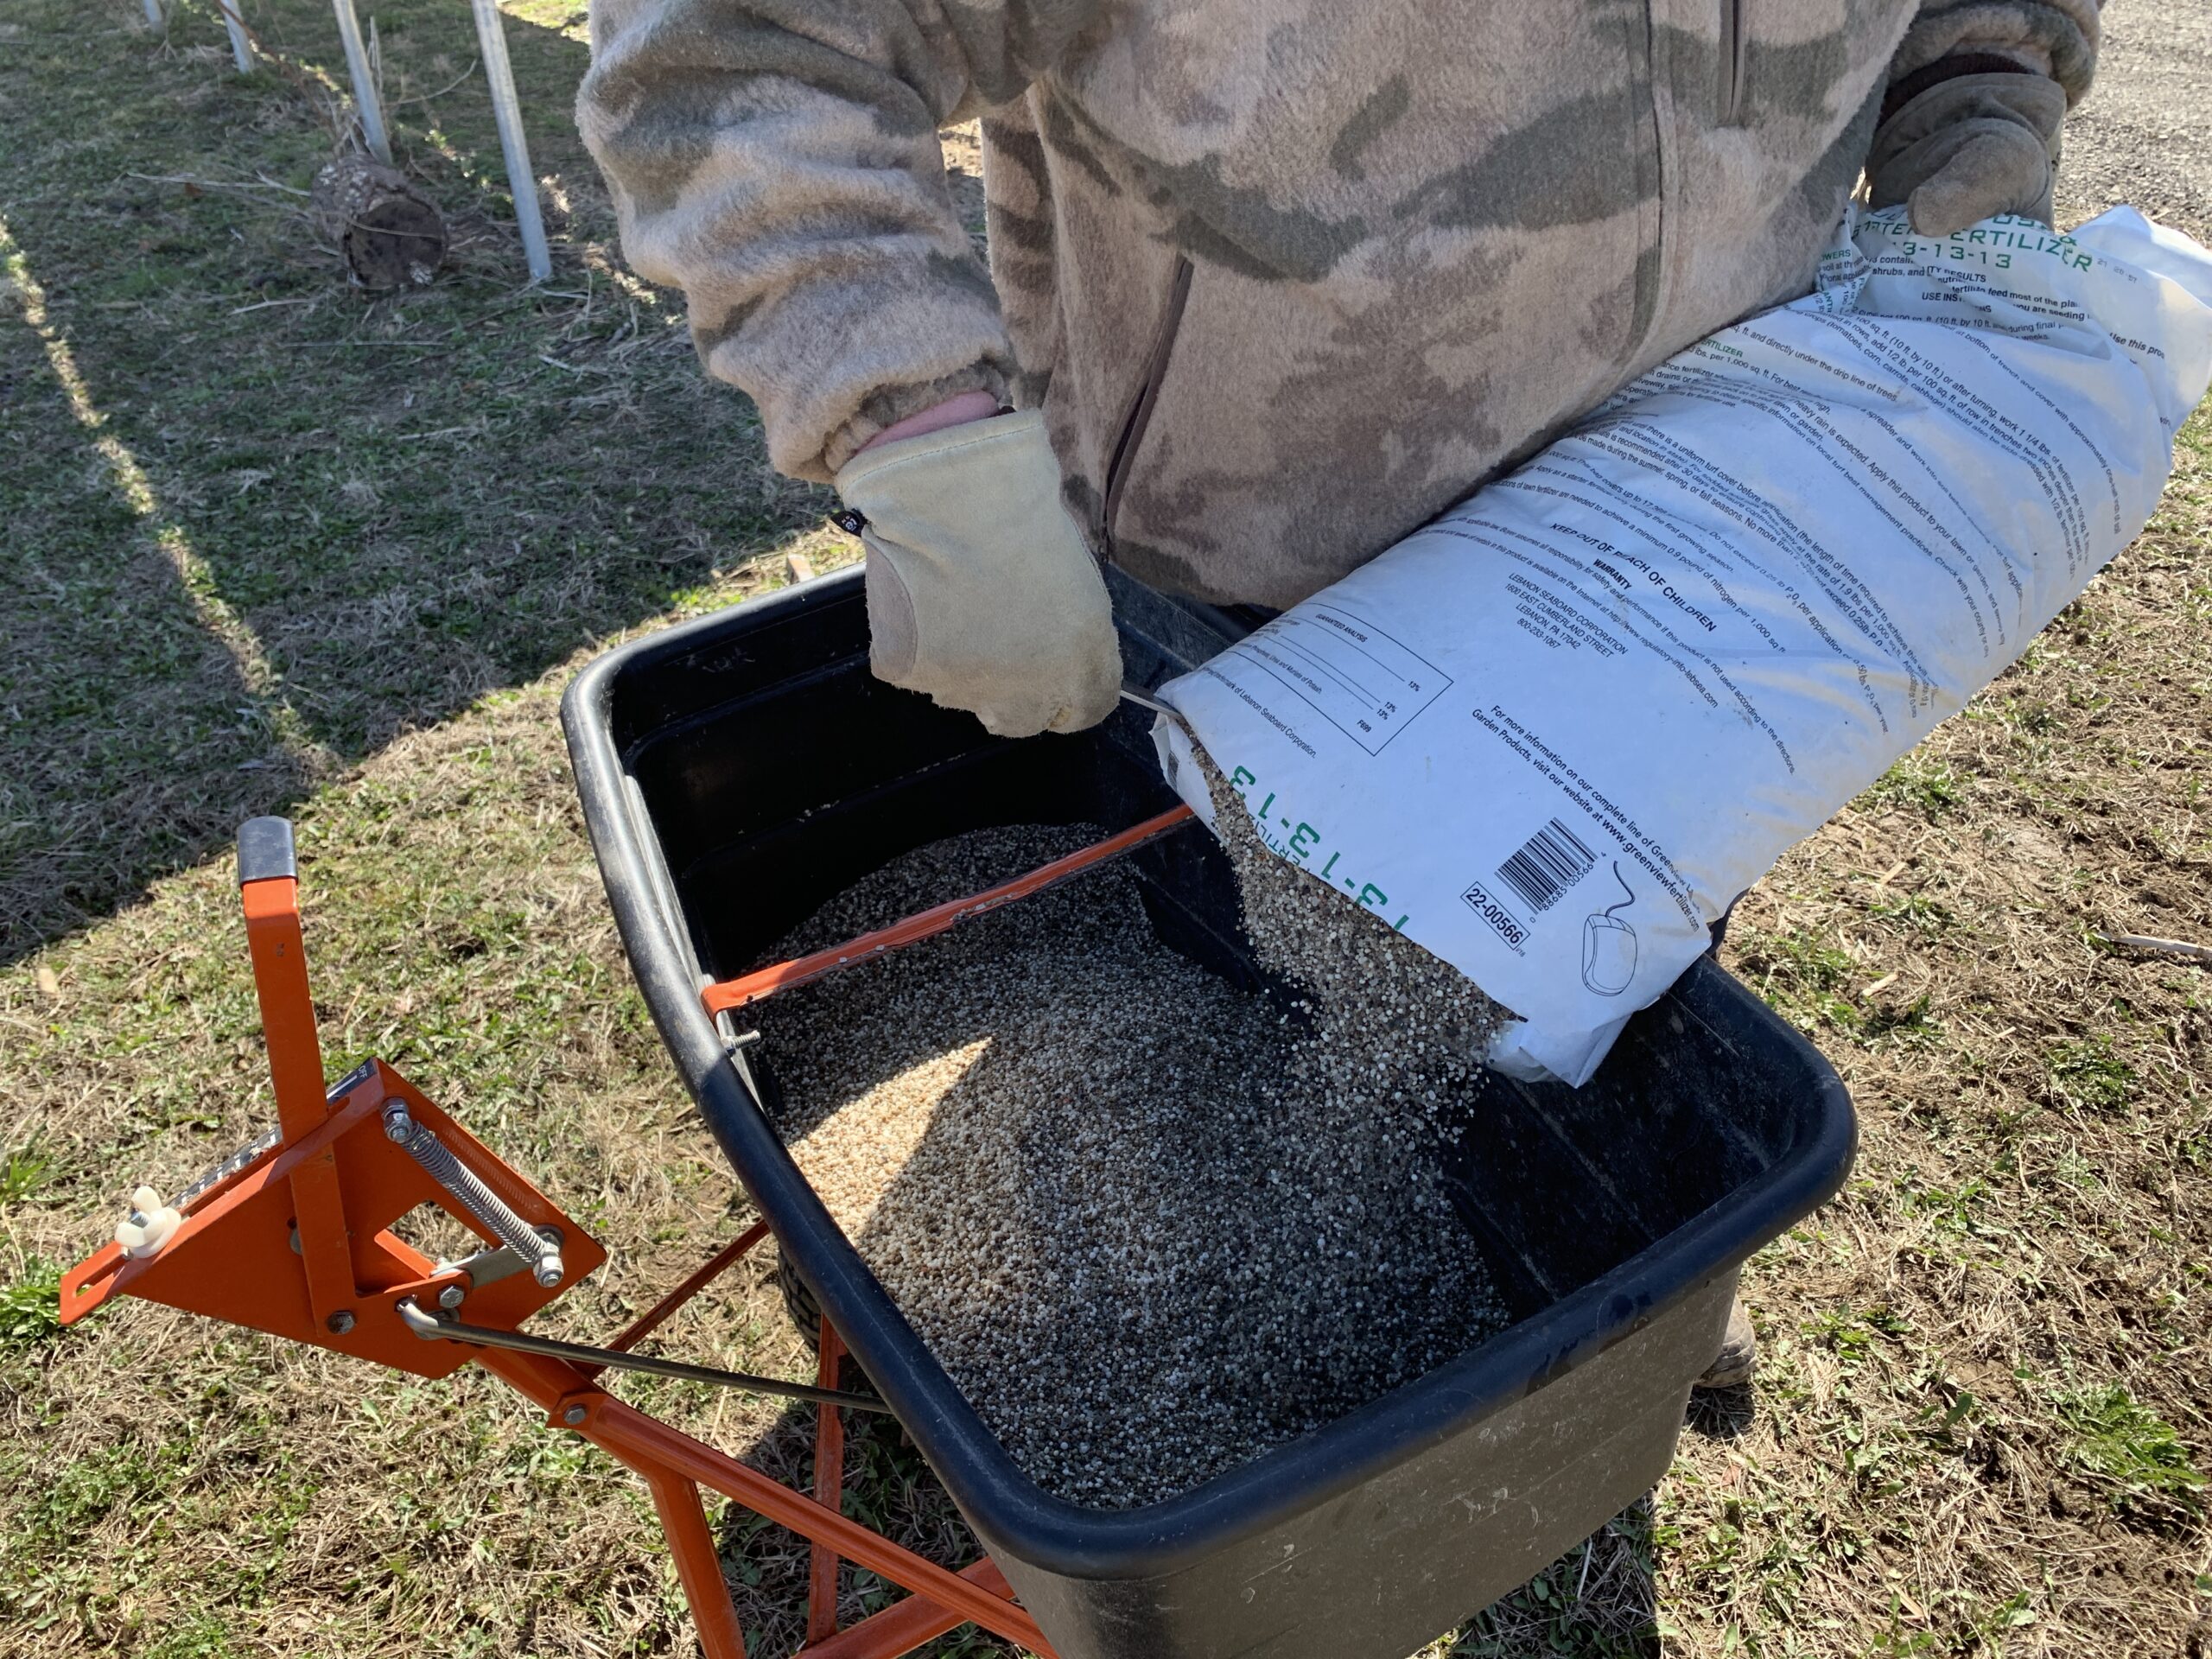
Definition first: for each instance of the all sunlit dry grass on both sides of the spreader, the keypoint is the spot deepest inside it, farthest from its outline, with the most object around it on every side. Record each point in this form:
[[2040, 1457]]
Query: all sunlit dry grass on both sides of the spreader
[[1923, 1461]]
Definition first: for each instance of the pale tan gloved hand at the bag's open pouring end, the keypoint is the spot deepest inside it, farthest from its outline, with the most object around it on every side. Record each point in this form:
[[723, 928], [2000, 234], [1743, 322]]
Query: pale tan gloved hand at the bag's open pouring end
[[981, 592]]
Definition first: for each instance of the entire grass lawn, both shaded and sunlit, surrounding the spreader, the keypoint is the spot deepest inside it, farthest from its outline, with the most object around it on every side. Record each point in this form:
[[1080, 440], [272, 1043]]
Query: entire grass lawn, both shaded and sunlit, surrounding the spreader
[[282, 547]]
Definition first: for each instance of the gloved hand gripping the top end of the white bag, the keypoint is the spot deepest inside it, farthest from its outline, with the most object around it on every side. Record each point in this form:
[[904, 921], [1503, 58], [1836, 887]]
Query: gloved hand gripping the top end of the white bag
[[1968, 149]]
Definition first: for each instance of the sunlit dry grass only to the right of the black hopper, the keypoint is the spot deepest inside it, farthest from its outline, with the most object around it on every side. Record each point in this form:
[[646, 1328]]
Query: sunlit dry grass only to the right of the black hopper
[[1961, 1353]]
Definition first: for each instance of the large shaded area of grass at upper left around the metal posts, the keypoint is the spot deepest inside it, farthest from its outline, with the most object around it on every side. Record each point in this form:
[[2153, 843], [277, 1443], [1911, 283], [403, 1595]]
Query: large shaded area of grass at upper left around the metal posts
[[260, 523]]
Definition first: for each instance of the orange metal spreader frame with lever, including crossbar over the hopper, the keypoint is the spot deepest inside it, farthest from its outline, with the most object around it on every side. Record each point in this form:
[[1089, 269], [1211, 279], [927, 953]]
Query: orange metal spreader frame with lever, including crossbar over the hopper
[[300, 1244]]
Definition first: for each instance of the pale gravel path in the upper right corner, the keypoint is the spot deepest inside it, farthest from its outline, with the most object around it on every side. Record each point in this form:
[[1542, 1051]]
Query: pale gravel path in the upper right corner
[[2145, 134]]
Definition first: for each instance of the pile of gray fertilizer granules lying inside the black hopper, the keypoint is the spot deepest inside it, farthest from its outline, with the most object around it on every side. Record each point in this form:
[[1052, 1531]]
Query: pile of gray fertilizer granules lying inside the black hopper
[[1145, 1227]]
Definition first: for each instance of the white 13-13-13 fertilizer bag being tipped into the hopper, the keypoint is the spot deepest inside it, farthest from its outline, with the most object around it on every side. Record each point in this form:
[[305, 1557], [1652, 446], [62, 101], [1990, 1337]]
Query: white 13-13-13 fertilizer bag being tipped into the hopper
[[1556, 733]]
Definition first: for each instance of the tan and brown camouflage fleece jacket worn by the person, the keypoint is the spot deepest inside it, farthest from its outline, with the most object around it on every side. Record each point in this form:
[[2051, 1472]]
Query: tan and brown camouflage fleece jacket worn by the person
[[1288, 278]]
